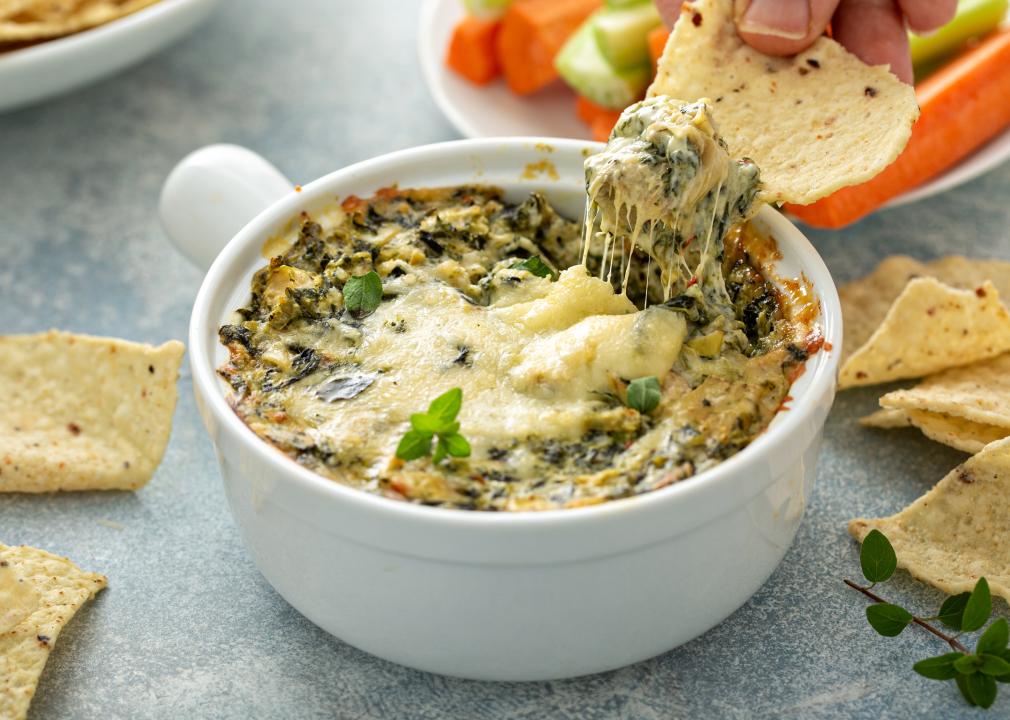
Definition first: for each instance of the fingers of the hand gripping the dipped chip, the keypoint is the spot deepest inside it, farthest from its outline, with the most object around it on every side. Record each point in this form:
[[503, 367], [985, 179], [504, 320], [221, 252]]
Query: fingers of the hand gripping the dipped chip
[[874, 31]]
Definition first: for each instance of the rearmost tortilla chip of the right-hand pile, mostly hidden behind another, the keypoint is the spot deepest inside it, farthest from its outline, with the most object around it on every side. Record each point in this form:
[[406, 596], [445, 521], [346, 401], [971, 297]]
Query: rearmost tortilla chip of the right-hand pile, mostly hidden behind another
[[865, 302]]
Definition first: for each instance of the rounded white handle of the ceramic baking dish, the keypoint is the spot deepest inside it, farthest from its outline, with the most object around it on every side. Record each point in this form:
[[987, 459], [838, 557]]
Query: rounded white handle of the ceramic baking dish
[[213, 194]]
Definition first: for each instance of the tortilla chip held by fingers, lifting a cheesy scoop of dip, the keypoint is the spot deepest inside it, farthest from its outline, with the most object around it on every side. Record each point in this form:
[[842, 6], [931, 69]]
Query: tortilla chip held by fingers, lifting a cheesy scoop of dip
[[814, 124]]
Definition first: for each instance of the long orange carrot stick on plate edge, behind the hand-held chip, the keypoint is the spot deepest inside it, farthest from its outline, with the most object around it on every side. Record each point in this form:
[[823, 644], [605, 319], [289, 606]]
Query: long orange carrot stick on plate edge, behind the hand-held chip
[[963, 107]]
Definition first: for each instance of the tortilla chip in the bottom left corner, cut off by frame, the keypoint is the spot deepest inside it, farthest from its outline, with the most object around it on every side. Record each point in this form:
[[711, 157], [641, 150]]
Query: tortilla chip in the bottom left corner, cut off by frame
[[45, 591]]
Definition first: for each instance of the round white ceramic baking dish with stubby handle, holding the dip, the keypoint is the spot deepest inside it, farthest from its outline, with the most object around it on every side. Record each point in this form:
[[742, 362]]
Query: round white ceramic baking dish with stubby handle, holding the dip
[[491, 596]]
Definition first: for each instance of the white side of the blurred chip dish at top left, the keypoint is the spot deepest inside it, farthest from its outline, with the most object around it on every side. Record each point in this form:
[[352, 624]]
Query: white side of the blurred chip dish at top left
[[40, 72]]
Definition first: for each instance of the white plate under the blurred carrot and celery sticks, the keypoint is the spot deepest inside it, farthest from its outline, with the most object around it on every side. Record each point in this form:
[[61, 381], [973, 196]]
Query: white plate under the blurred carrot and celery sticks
[[492, 111]]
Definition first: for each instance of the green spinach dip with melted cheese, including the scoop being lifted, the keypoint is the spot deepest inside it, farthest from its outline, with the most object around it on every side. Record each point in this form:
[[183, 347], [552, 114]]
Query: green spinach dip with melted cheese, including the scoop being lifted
[[451, 348]]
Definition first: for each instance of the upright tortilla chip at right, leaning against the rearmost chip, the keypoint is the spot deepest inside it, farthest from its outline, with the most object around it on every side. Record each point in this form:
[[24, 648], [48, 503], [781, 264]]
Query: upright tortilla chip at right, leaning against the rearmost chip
[[931, 328]]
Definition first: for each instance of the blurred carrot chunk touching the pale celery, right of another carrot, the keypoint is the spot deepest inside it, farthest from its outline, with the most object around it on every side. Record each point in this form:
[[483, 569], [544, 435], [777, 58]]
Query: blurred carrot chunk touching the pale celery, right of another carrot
[[532, 35]]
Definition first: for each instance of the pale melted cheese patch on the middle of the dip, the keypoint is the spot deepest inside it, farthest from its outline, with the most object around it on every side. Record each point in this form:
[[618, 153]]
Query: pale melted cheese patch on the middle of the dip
[[532, 369]]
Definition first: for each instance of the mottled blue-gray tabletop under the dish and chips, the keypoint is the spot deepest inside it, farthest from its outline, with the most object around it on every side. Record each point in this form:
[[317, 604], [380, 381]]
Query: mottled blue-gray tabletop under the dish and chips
[[188, 628]]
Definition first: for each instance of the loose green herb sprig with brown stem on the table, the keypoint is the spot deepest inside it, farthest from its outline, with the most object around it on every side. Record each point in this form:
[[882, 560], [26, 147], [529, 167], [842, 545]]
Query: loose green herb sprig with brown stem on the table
[[976, 674]]
